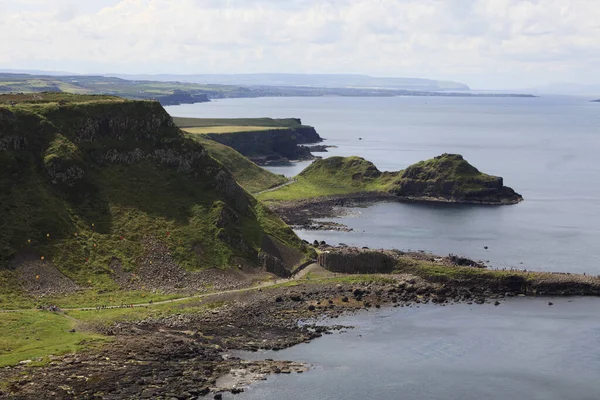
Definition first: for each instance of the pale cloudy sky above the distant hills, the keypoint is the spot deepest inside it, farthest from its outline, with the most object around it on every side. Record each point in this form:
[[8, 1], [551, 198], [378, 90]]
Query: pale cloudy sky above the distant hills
[[488, 44]]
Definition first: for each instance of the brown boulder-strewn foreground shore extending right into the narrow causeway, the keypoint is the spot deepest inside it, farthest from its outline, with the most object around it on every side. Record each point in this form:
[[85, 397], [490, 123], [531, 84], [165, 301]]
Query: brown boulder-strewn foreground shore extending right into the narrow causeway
[[186, 354]]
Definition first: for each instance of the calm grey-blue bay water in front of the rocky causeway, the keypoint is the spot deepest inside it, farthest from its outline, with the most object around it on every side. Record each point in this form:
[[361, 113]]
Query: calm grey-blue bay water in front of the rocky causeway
[[522, 349]]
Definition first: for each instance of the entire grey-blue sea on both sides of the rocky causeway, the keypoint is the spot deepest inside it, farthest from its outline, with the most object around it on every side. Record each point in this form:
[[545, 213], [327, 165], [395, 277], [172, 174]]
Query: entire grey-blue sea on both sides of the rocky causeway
[[548, 150]]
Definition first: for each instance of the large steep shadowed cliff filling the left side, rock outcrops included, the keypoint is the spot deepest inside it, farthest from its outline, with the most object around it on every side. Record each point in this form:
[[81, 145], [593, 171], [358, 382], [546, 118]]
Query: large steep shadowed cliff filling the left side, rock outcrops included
[[98, 187]]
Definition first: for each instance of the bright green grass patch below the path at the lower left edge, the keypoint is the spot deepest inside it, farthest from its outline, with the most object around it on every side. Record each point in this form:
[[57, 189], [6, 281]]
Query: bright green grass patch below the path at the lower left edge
[[34, 335]]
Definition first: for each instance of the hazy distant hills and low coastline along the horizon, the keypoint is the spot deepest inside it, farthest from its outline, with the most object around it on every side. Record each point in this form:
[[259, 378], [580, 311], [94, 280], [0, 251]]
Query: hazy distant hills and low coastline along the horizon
[[188, 89]]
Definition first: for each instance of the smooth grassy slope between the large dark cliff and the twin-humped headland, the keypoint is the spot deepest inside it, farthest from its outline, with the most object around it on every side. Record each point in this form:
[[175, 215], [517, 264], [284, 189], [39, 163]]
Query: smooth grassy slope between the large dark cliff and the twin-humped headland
[[252, 177]]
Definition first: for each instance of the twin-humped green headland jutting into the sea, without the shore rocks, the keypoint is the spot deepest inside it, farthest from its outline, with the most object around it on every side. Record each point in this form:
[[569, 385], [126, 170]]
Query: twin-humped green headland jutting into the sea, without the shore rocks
[[446, 178]]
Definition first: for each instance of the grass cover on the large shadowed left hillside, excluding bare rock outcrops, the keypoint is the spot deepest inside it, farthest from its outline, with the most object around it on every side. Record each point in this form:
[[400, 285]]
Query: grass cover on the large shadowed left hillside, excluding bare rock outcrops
[[113, 209]]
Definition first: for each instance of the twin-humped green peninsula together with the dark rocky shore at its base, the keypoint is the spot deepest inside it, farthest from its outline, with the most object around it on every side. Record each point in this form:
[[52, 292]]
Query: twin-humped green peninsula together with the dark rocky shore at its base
[[328, 185]]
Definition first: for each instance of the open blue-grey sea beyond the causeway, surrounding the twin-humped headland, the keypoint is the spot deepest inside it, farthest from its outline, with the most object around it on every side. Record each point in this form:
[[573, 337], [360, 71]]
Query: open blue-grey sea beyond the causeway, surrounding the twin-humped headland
[[546, 148]]
